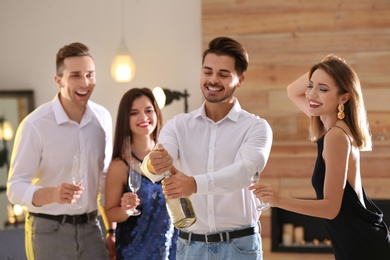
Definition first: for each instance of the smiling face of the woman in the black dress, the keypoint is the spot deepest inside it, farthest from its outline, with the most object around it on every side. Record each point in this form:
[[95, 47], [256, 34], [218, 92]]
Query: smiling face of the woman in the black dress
[[323, 95]]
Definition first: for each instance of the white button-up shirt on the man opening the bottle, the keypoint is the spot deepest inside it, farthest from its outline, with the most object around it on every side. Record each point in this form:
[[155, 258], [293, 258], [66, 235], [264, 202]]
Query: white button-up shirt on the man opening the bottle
[[218, 155]]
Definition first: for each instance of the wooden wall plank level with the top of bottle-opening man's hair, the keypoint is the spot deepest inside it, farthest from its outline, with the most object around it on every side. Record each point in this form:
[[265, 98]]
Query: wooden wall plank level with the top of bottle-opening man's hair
[[313, 42]]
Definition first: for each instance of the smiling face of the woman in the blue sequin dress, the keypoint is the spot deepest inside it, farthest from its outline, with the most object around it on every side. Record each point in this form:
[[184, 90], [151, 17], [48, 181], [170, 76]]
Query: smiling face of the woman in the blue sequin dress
[[143, 119]]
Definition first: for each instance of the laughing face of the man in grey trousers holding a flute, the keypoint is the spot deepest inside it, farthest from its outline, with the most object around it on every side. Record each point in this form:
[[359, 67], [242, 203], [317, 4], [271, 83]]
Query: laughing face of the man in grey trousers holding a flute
[[76, 82]]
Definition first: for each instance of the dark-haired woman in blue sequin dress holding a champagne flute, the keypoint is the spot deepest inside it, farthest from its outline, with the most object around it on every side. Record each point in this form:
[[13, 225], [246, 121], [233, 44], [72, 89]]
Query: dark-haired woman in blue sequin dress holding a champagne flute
[[151, 234]]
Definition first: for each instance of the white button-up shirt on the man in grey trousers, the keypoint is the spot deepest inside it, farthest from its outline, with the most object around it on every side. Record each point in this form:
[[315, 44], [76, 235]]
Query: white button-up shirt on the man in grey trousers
[[45, 144]]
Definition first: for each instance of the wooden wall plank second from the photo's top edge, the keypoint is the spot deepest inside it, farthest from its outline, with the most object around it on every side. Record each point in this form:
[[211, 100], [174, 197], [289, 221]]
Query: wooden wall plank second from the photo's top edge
[[282, 21]]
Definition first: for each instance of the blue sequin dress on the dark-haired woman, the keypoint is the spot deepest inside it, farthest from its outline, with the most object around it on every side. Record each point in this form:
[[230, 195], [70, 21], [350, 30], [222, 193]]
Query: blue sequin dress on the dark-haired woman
[[150, 235]]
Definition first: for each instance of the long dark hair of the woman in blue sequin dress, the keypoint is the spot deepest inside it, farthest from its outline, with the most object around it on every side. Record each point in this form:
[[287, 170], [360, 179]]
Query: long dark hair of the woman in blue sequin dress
[[123, 137]]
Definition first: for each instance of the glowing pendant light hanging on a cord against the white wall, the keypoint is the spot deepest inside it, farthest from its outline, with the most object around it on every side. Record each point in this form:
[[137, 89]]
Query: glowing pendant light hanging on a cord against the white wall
[[123, 66]]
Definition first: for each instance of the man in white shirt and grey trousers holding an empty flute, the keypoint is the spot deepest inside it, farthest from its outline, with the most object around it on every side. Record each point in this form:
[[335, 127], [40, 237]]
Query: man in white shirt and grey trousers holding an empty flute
[[41, 164]]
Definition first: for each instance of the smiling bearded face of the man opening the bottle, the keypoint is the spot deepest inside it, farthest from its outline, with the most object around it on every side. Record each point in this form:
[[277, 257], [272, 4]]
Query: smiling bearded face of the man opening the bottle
[[219, 78]]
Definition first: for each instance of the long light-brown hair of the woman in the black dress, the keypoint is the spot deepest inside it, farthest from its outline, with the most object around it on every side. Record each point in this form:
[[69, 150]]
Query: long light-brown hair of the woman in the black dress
[[347, 81]]
